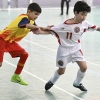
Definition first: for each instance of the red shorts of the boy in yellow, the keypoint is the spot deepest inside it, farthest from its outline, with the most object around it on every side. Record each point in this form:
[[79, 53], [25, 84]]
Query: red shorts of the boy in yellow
[[14, 49]]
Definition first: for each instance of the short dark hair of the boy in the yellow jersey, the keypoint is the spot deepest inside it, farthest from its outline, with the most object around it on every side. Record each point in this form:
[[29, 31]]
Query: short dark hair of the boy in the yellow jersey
[[34, 7]]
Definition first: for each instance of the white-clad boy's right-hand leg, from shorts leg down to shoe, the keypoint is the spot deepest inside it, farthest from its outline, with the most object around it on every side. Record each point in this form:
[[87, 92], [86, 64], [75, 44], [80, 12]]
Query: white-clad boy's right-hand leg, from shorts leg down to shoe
[[79, 58]]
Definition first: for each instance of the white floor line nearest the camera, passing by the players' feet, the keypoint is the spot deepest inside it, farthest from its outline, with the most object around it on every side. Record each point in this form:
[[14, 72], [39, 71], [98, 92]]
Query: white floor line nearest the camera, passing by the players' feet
[[45, 81]]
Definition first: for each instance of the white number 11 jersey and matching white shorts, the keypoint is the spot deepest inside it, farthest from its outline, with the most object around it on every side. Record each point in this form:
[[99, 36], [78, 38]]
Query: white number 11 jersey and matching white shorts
[[68, 36]]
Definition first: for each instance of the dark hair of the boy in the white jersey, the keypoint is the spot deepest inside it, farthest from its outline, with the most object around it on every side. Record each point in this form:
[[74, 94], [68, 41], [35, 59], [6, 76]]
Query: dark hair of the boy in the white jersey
[[81, 6]]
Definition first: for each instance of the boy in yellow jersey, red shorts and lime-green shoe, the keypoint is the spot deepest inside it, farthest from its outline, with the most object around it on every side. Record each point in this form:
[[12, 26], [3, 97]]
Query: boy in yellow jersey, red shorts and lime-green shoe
[[13, 33]]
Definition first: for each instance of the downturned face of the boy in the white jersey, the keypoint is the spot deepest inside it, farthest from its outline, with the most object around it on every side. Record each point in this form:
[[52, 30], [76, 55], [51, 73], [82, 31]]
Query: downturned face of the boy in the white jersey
[[81, 16]]
